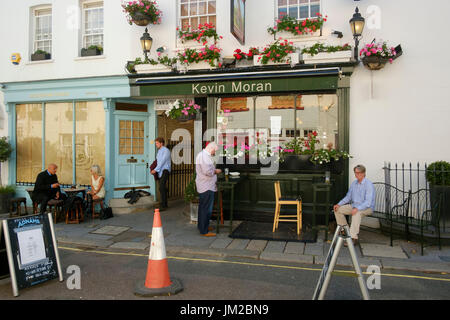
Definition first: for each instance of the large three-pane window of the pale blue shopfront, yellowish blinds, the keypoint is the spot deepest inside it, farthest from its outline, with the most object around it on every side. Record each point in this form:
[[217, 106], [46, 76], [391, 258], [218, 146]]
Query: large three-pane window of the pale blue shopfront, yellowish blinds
[[58, 128]]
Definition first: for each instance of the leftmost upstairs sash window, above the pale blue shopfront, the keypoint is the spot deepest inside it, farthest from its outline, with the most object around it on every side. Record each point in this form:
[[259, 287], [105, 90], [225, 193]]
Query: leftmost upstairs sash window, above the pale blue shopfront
[[42, 19]]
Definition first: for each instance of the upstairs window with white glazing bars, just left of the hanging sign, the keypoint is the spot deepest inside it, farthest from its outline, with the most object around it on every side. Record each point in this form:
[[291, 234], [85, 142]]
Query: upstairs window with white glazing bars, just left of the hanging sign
[[195, 12]]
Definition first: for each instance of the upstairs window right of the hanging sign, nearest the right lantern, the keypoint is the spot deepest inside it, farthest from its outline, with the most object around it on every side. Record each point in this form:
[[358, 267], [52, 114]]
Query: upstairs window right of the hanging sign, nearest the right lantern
[[298, 9]]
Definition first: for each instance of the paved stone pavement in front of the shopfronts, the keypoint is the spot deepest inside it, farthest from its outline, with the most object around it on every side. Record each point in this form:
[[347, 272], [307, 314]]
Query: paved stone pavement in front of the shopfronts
[[132, 232]]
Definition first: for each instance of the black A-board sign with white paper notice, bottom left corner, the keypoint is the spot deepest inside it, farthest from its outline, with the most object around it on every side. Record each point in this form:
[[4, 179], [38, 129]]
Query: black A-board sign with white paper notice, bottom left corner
[[32, 251]]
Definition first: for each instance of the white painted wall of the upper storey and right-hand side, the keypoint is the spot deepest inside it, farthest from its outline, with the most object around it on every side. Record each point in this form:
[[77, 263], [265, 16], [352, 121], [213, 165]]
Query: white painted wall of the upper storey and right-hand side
[[406, 119]]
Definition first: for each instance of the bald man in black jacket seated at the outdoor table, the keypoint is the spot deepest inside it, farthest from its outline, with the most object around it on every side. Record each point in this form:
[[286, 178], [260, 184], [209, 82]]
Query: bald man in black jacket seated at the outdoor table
[[46, 187]]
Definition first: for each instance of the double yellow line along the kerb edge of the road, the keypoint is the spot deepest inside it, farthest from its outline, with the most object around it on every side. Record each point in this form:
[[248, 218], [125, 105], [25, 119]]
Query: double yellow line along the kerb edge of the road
[[253, 264]]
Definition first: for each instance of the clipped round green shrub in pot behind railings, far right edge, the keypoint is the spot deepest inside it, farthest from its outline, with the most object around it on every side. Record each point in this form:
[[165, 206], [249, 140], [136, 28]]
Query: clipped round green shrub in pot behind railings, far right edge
[[438, 177]]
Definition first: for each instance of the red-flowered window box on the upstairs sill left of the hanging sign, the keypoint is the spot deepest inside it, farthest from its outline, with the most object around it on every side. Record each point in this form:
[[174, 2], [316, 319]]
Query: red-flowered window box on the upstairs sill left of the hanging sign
[[205, 34]]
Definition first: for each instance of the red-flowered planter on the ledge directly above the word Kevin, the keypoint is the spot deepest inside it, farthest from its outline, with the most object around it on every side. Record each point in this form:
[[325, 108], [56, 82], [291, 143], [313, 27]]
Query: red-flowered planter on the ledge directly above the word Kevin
[[206, 57]]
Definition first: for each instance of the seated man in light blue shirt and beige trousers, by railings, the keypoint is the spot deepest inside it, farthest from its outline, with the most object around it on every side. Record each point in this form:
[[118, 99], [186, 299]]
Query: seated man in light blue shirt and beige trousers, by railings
[[359, 202]]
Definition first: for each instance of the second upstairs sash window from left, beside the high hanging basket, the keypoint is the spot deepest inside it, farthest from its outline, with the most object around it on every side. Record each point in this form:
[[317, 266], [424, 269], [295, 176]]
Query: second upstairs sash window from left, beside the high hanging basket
[[92, 22]]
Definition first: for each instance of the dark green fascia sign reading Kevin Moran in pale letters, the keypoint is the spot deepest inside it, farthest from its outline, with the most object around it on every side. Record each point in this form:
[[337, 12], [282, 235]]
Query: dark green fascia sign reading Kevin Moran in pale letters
[[239, 87]]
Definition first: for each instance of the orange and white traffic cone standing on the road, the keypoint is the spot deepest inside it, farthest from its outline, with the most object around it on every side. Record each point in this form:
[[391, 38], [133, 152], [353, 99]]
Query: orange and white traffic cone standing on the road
[[157, 281]]
